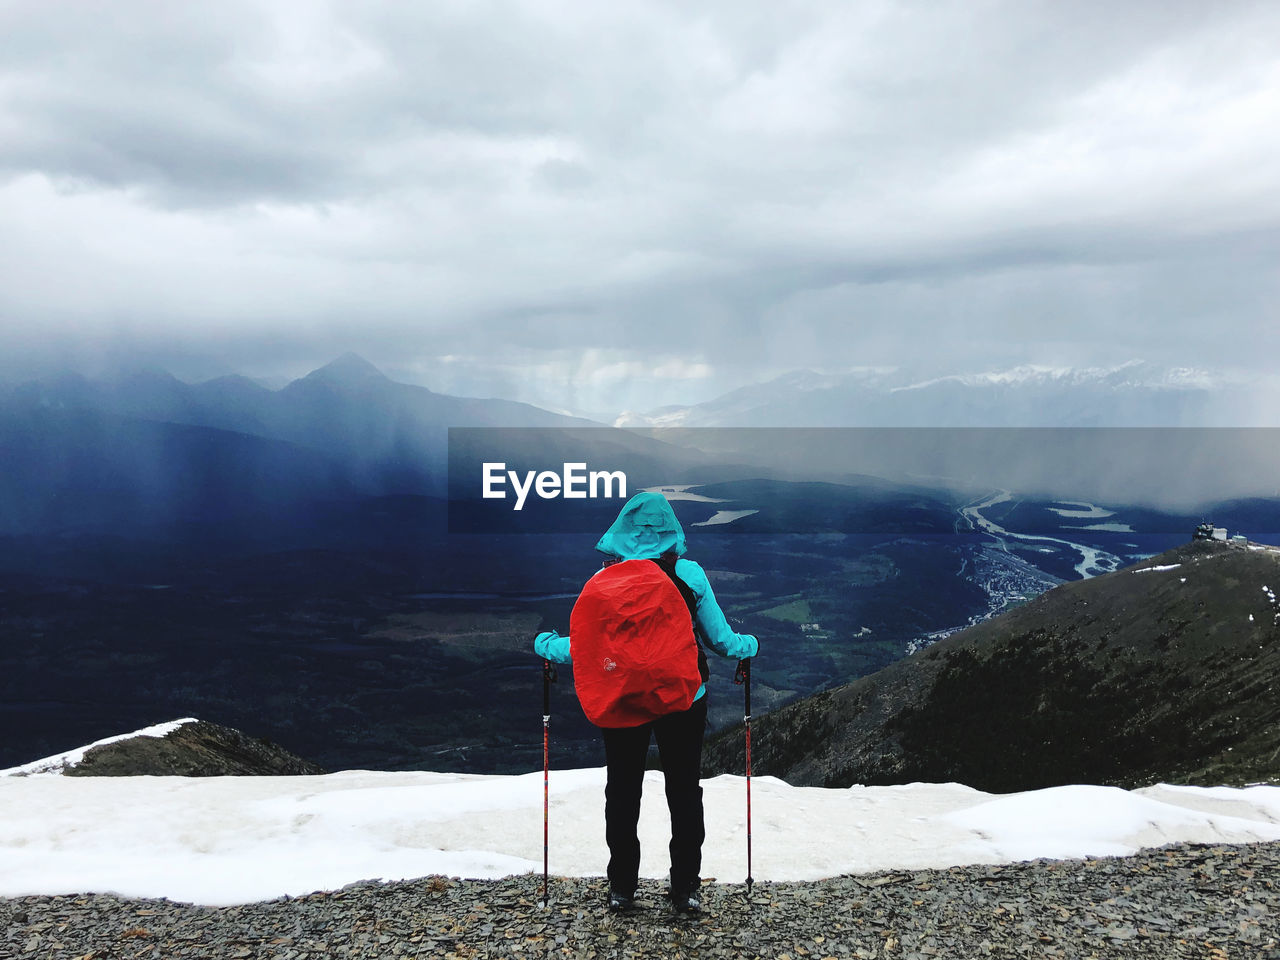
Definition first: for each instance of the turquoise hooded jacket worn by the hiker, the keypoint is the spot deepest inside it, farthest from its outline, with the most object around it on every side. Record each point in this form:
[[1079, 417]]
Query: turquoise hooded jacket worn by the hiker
[[647, 528]]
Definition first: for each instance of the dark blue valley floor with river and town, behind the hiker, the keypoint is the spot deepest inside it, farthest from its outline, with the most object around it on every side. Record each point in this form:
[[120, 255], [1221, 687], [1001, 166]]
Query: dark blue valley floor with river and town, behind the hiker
[[423, 659]]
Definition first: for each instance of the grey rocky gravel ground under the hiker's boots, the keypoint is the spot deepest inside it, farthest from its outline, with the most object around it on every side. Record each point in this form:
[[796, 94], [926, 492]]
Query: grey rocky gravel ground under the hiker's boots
[[1178, 902]]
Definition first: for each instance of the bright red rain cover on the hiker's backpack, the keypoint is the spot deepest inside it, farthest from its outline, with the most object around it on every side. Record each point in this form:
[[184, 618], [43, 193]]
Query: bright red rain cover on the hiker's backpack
[[634, 652]]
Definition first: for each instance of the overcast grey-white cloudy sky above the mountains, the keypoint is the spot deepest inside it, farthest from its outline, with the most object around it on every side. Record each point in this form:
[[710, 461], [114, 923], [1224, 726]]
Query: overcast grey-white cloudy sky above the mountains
[[632, 204]]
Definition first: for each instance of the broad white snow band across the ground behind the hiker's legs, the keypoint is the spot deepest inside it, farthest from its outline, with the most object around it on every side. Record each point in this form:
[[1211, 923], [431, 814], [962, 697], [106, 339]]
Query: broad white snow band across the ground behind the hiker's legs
[[231, 840]]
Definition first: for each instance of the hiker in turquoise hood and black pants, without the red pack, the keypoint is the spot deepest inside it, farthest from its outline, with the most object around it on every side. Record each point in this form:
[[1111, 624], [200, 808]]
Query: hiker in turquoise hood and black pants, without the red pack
[[647, 529]]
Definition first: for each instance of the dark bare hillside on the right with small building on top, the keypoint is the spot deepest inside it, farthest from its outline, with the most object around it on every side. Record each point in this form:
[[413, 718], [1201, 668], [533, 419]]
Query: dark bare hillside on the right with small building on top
[[1165, 671]]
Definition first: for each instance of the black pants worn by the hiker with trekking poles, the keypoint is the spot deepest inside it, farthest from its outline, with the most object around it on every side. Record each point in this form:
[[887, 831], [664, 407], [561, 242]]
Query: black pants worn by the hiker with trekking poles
[[680, 748]]
